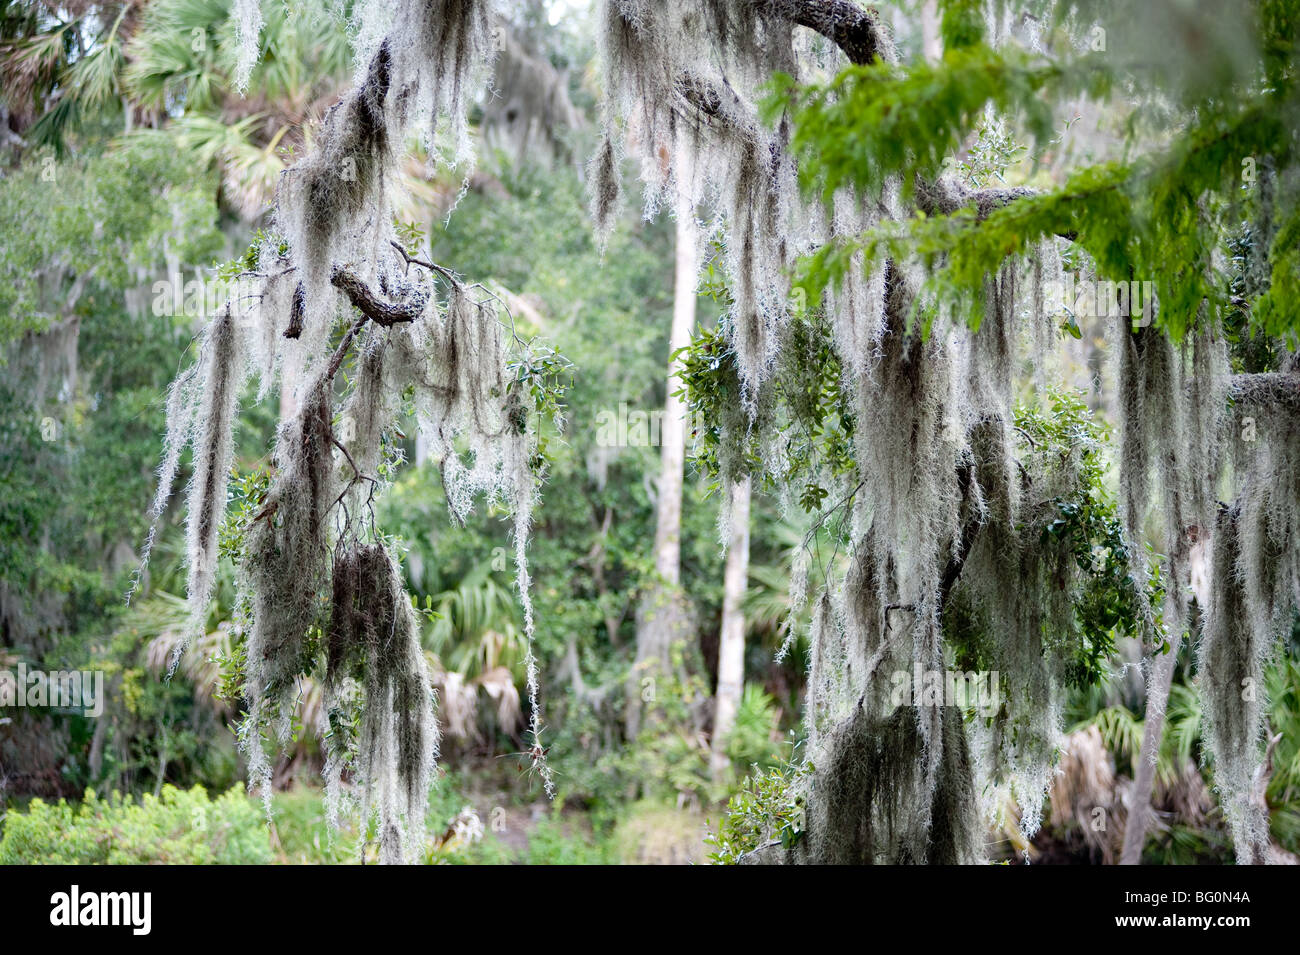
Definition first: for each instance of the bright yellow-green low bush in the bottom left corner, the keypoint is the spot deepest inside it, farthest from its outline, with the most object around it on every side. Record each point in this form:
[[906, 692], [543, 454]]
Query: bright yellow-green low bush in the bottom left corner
[[177, 828]]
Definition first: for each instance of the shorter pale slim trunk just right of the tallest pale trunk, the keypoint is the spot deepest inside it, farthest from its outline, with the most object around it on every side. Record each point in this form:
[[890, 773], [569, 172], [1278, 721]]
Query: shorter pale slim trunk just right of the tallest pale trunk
[[731, 650]]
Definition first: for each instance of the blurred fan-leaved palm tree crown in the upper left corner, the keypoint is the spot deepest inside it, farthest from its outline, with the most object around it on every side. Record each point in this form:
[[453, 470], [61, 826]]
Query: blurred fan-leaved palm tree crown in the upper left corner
[[167, 68]]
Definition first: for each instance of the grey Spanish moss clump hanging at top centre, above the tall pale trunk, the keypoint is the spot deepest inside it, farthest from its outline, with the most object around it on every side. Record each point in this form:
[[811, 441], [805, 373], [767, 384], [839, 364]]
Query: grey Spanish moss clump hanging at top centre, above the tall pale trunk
[[666, 93]]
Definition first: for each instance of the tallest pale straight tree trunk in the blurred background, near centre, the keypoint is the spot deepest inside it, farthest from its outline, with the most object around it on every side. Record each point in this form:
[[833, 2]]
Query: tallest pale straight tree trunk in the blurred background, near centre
[[662, 614]]
